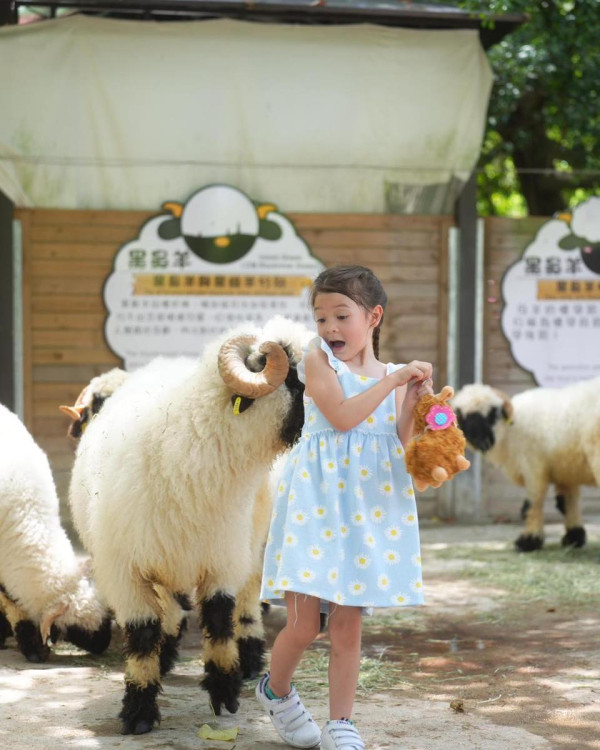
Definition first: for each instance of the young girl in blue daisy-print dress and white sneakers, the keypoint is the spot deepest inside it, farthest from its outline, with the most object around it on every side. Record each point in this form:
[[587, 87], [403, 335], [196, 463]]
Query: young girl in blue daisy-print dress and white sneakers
[[344, 526]]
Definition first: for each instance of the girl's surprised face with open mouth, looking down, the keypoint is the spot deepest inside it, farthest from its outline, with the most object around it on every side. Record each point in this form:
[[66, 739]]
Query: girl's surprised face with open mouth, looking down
[[345, 326]]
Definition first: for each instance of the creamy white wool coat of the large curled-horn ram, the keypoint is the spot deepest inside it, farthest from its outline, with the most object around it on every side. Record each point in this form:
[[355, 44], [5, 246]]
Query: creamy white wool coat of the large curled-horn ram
[[165, 479]]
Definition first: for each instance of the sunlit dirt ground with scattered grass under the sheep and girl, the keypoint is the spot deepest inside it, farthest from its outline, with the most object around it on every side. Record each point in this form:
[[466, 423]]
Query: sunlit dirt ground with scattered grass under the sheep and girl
[[482, 665]]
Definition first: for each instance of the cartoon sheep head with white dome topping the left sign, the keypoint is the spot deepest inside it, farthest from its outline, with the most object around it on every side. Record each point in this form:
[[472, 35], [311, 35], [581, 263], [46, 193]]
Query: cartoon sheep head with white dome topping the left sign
[[219, 223]]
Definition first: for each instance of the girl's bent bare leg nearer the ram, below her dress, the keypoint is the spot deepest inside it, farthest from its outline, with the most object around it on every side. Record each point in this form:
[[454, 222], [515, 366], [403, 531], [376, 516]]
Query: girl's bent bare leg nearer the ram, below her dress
[[301, 629]]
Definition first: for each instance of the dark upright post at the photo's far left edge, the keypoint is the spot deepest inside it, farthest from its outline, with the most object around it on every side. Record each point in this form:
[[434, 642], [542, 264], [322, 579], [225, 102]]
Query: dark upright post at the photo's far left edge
[[7, 336]]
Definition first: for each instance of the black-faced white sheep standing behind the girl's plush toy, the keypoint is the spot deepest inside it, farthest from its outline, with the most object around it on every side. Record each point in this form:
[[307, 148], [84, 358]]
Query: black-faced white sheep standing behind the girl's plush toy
[[539, 437]]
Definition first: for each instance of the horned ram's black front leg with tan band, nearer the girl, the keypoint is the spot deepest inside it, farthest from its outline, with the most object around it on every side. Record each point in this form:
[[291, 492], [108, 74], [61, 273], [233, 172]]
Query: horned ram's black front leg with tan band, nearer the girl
[[223, 679]]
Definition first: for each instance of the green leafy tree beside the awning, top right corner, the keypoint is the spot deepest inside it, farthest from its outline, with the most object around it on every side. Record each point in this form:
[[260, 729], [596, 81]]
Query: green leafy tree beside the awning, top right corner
[[541, 150]]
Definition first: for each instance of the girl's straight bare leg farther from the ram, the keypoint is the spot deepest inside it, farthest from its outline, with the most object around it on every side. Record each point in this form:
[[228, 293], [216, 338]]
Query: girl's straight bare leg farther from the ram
[[345, 630]]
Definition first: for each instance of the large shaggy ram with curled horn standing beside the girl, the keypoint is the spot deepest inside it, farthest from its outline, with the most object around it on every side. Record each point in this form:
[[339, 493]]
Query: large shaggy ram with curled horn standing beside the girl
[[169, 493]]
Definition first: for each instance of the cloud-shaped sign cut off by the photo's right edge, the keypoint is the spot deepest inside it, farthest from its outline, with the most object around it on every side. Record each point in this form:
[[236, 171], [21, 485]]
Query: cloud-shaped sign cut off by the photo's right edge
[[551, 314]]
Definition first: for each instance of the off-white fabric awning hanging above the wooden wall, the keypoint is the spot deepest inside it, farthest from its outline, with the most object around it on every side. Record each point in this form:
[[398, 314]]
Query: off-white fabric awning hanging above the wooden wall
[[102, 113]]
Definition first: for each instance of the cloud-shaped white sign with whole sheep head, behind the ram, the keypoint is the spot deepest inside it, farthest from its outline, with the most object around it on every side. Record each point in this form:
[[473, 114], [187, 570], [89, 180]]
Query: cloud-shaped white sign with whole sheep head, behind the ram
[[200, 268]]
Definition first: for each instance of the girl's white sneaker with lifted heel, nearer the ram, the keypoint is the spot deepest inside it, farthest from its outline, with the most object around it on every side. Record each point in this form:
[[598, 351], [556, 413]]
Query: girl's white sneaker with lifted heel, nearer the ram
[[291, 720]]
